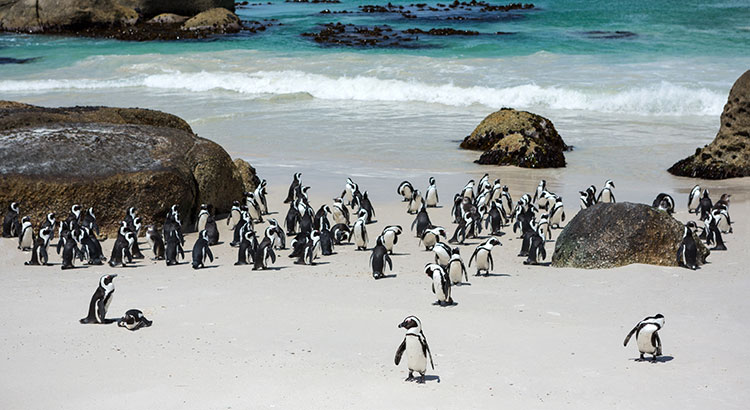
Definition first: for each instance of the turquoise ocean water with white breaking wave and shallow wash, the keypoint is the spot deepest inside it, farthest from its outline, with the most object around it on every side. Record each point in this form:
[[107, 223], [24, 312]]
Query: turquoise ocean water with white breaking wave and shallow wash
[[631, 106]]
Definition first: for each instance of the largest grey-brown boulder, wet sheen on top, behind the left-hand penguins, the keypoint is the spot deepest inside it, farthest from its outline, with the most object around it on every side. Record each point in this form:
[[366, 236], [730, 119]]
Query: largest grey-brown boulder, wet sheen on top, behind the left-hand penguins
[[110, 159]]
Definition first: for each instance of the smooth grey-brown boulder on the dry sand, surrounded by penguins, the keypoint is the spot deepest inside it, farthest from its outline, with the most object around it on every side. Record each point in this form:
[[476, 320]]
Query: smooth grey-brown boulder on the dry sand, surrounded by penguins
[[611, 235]]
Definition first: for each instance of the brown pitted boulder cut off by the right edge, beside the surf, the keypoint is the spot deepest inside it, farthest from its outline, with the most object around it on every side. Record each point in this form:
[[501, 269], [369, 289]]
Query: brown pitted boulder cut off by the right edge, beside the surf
[[728, 155]]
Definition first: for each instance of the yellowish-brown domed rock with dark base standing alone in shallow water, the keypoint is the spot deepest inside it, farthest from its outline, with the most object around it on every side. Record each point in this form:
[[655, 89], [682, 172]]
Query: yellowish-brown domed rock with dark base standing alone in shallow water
[[511, 137]]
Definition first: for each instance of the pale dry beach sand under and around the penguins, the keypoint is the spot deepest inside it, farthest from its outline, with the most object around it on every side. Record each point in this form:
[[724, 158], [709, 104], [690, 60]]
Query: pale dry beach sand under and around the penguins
[[308, 337]]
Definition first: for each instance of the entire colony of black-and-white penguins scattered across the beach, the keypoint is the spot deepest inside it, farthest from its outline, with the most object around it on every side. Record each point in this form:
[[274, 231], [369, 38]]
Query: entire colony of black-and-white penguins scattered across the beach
[[478, 206]]
